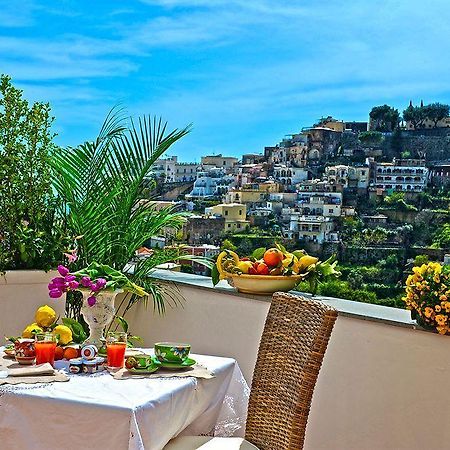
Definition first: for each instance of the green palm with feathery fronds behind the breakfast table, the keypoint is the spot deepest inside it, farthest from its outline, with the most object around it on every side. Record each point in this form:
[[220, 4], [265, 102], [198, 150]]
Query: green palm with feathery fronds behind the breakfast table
[[101, 185]]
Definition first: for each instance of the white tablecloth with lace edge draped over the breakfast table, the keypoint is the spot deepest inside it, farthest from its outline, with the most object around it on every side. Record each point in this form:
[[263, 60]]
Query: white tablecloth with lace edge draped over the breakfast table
[[96, 411]]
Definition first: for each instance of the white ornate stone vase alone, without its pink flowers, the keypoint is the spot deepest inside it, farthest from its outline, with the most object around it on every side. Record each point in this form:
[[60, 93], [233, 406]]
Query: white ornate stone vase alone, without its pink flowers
[[99, 316]]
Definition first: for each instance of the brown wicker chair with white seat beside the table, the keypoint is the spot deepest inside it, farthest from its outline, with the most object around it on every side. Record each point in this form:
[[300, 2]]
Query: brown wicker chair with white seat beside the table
[[290, 355]]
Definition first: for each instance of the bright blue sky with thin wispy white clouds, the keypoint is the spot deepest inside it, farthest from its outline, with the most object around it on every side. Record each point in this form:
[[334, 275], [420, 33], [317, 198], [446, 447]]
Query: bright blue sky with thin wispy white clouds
[[244, 72]]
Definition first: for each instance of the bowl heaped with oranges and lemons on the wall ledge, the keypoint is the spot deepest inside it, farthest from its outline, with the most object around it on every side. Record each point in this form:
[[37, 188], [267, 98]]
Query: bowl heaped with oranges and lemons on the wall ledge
[[270, 270]]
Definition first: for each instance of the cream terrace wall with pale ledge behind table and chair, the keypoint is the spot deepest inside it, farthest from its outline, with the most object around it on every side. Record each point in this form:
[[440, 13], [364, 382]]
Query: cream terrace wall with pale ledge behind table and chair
[[383, 384]]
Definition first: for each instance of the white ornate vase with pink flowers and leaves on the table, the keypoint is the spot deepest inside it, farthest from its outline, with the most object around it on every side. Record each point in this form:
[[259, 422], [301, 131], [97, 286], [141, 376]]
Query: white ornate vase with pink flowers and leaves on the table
[[99, 284]]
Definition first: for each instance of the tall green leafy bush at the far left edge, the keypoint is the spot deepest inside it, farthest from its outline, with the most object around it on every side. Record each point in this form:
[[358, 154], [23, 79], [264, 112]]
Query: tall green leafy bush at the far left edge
[[33, 232]]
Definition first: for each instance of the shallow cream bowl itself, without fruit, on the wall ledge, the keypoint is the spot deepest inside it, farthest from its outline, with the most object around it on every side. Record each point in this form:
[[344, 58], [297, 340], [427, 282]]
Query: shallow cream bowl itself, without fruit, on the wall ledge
[[263, 284]]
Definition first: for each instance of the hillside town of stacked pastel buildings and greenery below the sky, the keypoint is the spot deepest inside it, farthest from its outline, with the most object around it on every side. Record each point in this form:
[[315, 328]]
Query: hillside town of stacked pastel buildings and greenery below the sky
[[366, 191]]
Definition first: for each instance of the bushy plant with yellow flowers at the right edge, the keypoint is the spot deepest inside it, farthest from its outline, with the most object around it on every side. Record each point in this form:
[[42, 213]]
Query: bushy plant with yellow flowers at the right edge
[[428, 296]]
